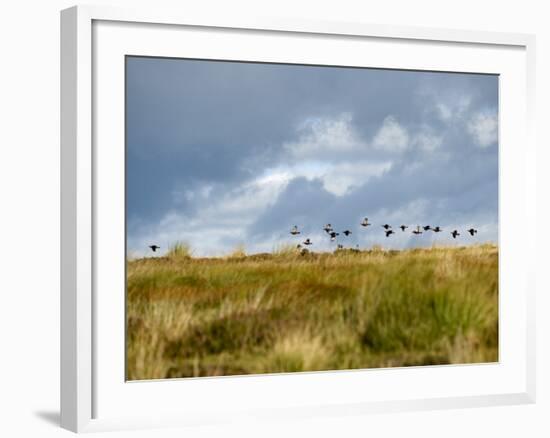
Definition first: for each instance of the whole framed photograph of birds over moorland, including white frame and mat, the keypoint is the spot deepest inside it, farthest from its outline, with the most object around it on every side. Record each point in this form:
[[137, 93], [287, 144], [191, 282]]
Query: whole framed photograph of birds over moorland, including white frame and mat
[[267, 218]]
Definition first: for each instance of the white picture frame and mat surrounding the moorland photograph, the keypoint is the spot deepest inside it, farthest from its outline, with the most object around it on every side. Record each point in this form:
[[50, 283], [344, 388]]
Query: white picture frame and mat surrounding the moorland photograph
[[93, 40]]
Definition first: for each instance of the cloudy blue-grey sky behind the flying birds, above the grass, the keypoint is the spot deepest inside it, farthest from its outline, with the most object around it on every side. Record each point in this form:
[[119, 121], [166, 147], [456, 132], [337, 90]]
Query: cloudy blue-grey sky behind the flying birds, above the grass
[[221, 154]]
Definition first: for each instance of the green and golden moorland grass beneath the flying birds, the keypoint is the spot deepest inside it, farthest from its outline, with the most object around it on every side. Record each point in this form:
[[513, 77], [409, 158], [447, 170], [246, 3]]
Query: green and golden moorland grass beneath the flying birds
[[284, 312]]
